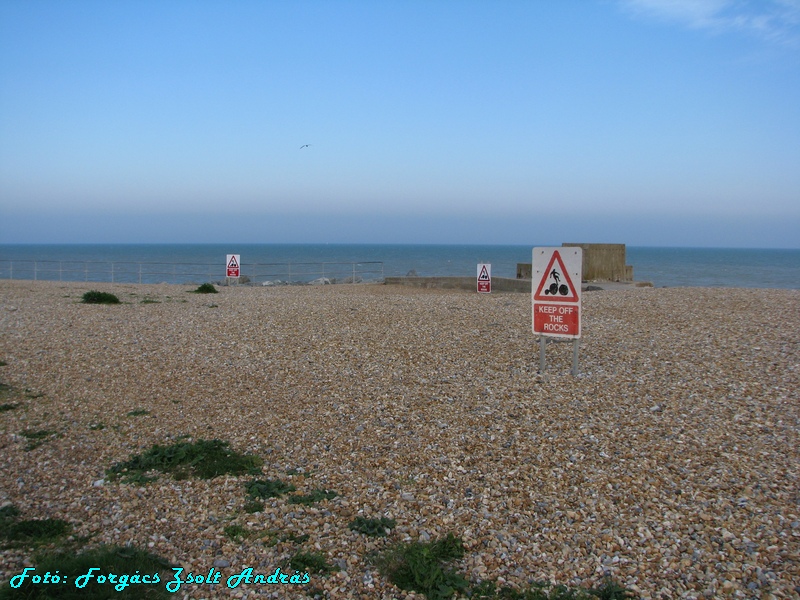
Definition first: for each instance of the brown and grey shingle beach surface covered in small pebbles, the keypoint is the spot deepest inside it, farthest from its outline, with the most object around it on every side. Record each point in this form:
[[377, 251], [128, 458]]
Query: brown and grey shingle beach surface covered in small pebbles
[[671, 462]]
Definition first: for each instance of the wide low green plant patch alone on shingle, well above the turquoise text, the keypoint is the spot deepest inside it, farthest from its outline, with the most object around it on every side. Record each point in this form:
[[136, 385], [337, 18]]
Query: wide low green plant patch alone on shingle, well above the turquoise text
[[204, 458]]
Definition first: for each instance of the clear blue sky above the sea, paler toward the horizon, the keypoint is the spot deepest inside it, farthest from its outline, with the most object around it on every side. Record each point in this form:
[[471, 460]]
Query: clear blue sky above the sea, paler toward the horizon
[[646, 122]]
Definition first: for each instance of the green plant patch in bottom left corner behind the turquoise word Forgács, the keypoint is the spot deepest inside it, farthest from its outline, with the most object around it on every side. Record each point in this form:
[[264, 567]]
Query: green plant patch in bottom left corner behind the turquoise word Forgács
[[106, 559]]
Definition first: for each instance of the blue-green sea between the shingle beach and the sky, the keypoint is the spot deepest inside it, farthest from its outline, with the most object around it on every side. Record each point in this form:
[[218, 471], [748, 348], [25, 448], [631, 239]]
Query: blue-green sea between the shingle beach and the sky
[[661, 266]]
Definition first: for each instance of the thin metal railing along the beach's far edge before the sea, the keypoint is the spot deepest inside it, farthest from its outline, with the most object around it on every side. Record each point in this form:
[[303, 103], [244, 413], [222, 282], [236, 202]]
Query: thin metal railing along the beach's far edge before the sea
[[287, 273]]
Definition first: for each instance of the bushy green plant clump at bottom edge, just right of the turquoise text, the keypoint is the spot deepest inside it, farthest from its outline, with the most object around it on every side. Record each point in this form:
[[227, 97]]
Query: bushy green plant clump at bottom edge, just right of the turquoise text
[[423, 567]]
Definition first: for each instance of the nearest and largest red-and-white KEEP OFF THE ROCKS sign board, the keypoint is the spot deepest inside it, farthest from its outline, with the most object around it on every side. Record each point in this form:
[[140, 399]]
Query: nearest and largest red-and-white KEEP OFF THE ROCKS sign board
[[556, 290]]
